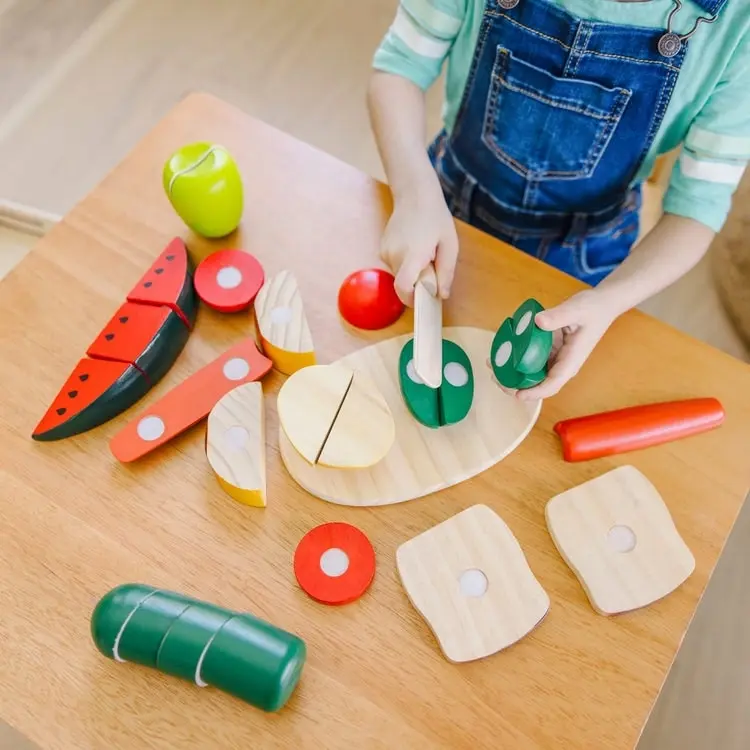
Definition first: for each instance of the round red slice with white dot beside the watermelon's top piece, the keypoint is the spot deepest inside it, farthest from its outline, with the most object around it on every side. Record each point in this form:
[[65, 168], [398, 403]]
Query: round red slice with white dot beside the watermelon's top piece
[[228, 280]]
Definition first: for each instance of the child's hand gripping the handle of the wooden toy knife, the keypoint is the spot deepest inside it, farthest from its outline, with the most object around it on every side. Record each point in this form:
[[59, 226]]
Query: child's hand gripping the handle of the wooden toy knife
[[421, 230]]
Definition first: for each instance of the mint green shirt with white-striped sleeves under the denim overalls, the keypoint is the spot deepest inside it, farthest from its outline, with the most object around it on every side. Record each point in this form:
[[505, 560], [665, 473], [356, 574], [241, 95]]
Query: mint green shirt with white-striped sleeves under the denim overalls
[[709, 112]]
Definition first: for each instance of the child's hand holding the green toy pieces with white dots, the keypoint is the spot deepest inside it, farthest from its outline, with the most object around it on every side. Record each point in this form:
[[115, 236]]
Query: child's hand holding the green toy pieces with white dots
[[578, 324]]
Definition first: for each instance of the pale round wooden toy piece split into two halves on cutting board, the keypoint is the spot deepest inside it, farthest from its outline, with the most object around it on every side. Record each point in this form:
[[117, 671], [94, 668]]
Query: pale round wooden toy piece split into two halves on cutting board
[[335, 418]]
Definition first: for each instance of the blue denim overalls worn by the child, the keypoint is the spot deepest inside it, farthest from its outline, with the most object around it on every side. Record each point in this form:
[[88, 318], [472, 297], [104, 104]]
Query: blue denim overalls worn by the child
[[556, 119]]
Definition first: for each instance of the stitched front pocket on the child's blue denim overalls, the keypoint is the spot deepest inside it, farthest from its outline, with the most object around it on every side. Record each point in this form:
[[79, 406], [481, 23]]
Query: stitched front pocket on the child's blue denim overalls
[[548, 128]]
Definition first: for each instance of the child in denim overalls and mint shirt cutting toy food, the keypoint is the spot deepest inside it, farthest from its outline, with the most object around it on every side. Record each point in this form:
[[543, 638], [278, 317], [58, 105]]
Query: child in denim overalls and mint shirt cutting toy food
[[555, 112]]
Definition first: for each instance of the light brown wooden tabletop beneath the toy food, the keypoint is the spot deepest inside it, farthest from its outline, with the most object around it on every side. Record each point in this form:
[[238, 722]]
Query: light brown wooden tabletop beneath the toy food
[[76, 523]]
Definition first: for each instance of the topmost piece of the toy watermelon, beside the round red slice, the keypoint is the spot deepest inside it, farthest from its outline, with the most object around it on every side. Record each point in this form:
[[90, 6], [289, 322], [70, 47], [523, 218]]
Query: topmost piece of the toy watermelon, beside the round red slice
[[169, 282]]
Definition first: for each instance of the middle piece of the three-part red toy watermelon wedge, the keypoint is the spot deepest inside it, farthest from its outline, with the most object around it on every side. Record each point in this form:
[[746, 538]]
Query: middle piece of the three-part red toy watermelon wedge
[[145, 336]]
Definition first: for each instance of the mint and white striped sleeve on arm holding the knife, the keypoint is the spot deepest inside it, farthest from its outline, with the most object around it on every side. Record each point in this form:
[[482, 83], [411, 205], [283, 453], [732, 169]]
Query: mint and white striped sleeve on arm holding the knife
[[419, 39]]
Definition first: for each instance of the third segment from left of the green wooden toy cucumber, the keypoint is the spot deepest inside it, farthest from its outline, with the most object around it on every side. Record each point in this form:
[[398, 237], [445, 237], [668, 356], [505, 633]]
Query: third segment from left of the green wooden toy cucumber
[[187, 638]]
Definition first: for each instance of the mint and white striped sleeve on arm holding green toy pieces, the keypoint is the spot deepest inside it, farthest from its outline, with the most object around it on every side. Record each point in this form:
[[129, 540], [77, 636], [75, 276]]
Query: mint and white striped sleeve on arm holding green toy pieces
[[716, 150]]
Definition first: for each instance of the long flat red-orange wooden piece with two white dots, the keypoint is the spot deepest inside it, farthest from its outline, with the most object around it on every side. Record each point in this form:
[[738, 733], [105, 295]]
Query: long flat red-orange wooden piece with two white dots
[[190, 401]]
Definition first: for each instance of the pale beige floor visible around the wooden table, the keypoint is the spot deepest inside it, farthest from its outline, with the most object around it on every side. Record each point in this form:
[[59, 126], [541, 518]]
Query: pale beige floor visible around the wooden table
[[83, 80]]
